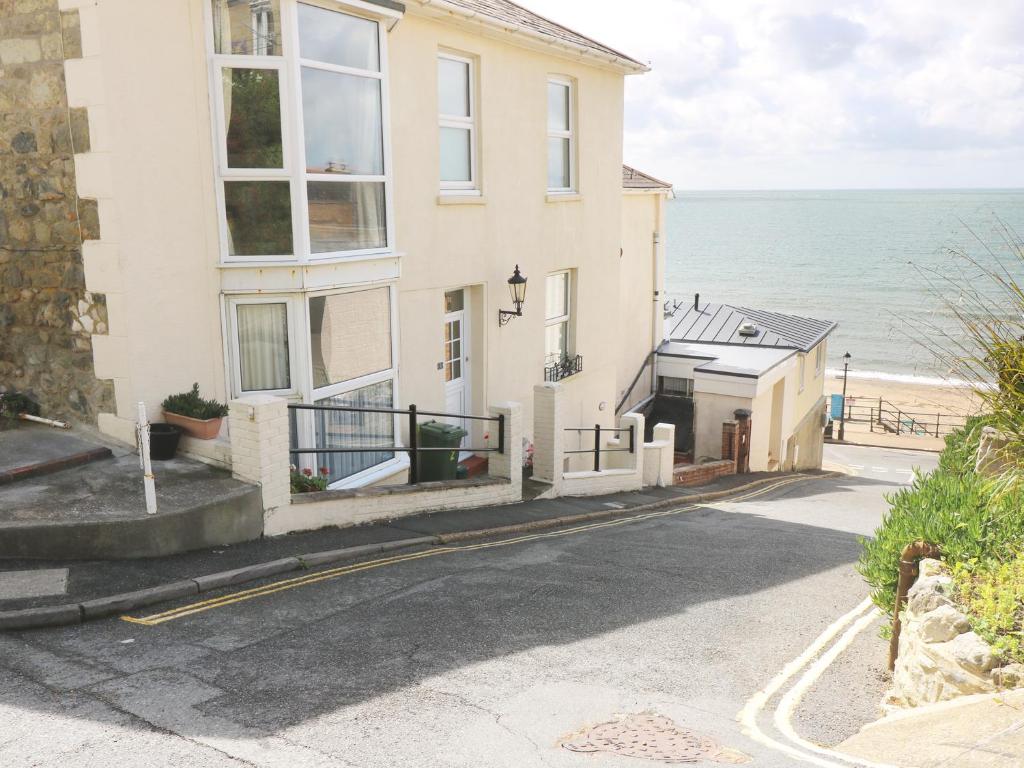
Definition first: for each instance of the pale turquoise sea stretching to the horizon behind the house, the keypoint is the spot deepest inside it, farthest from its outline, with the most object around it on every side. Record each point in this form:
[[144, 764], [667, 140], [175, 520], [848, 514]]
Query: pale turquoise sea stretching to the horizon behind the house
[[880, 264]]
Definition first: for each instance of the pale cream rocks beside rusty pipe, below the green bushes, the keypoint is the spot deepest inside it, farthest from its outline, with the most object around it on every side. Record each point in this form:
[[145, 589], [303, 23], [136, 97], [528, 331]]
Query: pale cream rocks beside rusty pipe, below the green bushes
[[940, 657]]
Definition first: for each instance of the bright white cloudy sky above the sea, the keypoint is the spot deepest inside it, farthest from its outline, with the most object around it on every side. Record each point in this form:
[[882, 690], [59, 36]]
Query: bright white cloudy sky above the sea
[[790, 95]]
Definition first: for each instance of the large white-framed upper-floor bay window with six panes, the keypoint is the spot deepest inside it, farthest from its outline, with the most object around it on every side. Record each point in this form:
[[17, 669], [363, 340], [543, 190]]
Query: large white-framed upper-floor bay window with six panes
[[303, 161]]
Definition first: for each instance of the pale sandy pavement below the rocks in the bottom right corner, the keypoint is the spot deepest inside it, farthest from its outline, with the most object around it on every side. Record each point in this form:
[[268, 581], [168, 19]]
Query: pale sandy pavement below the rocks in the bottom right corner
[[984, 732]]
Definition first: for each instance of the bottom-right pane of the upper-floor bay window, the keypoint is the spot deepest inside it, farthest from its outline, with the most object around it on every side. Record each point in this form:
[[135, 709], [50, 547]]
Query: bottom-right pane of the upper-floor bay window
[[347, 217]]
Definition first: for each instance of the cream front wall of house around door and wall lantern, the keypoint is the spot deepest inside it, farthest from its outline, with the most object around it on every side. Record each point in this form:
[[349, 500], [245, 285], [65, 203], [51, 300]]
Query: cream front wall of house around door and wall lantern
[[452, 244]]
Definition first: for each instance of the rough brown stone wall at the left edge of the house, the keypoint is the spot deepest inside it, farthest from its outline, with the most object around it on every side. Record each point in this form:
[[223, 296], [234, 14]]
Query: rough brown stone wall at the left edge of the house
[[48, 318]]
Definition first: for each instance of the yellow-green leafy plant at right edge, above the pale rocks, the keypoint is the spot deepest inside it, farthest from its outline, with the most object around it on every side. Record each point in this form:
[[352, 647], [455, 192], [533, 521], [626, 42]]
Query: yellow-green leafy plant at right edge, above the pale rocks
[[993, 594]]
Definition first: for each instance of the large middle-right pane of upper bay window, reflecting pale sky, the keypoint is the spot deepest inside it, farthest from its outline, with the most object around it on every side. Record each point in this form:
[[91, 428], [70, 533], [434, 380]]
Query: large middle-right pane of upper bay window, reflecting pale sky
[[342, 115]]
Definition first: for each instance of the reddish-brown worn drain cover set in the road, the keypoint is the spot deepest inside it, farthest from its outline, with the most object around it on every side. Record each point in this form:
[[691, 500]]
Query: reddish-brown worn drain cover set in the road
[[654, 738]]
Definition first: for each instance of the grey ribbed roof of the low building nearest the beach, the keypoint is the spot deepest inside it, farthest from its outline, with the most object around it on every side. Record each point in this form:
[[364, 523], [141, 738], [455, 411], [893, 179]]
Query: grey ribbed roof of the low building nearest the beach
[[719, 324]]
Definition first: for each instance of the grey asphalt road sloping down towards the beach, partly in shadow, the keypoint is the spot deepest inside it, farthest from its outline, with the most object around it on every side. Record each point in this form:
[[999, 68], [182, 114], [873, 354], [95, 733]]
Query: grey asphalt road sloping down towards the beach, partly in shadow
[[485, 657]]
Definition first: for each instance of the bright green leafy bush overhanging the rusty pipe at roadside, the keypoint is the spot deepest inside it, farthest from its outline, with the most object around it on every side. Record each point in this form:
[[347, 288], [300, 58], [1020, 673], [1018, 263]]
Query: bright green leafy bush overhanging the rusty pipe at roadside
[[953, 508]]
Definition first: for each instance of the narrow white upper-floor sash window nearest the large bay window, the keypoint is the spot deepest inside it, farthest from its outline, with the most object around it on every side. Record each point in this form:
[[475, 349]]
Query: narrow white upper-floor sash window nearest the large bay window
[[457, 116]]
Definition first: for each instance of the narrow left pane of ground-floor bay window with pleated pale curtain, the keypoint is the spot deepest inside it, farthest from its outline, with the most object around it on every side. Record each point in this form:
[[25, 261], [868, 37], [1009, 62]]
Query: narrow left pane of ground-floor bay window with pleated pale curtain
[[264, 347]]
